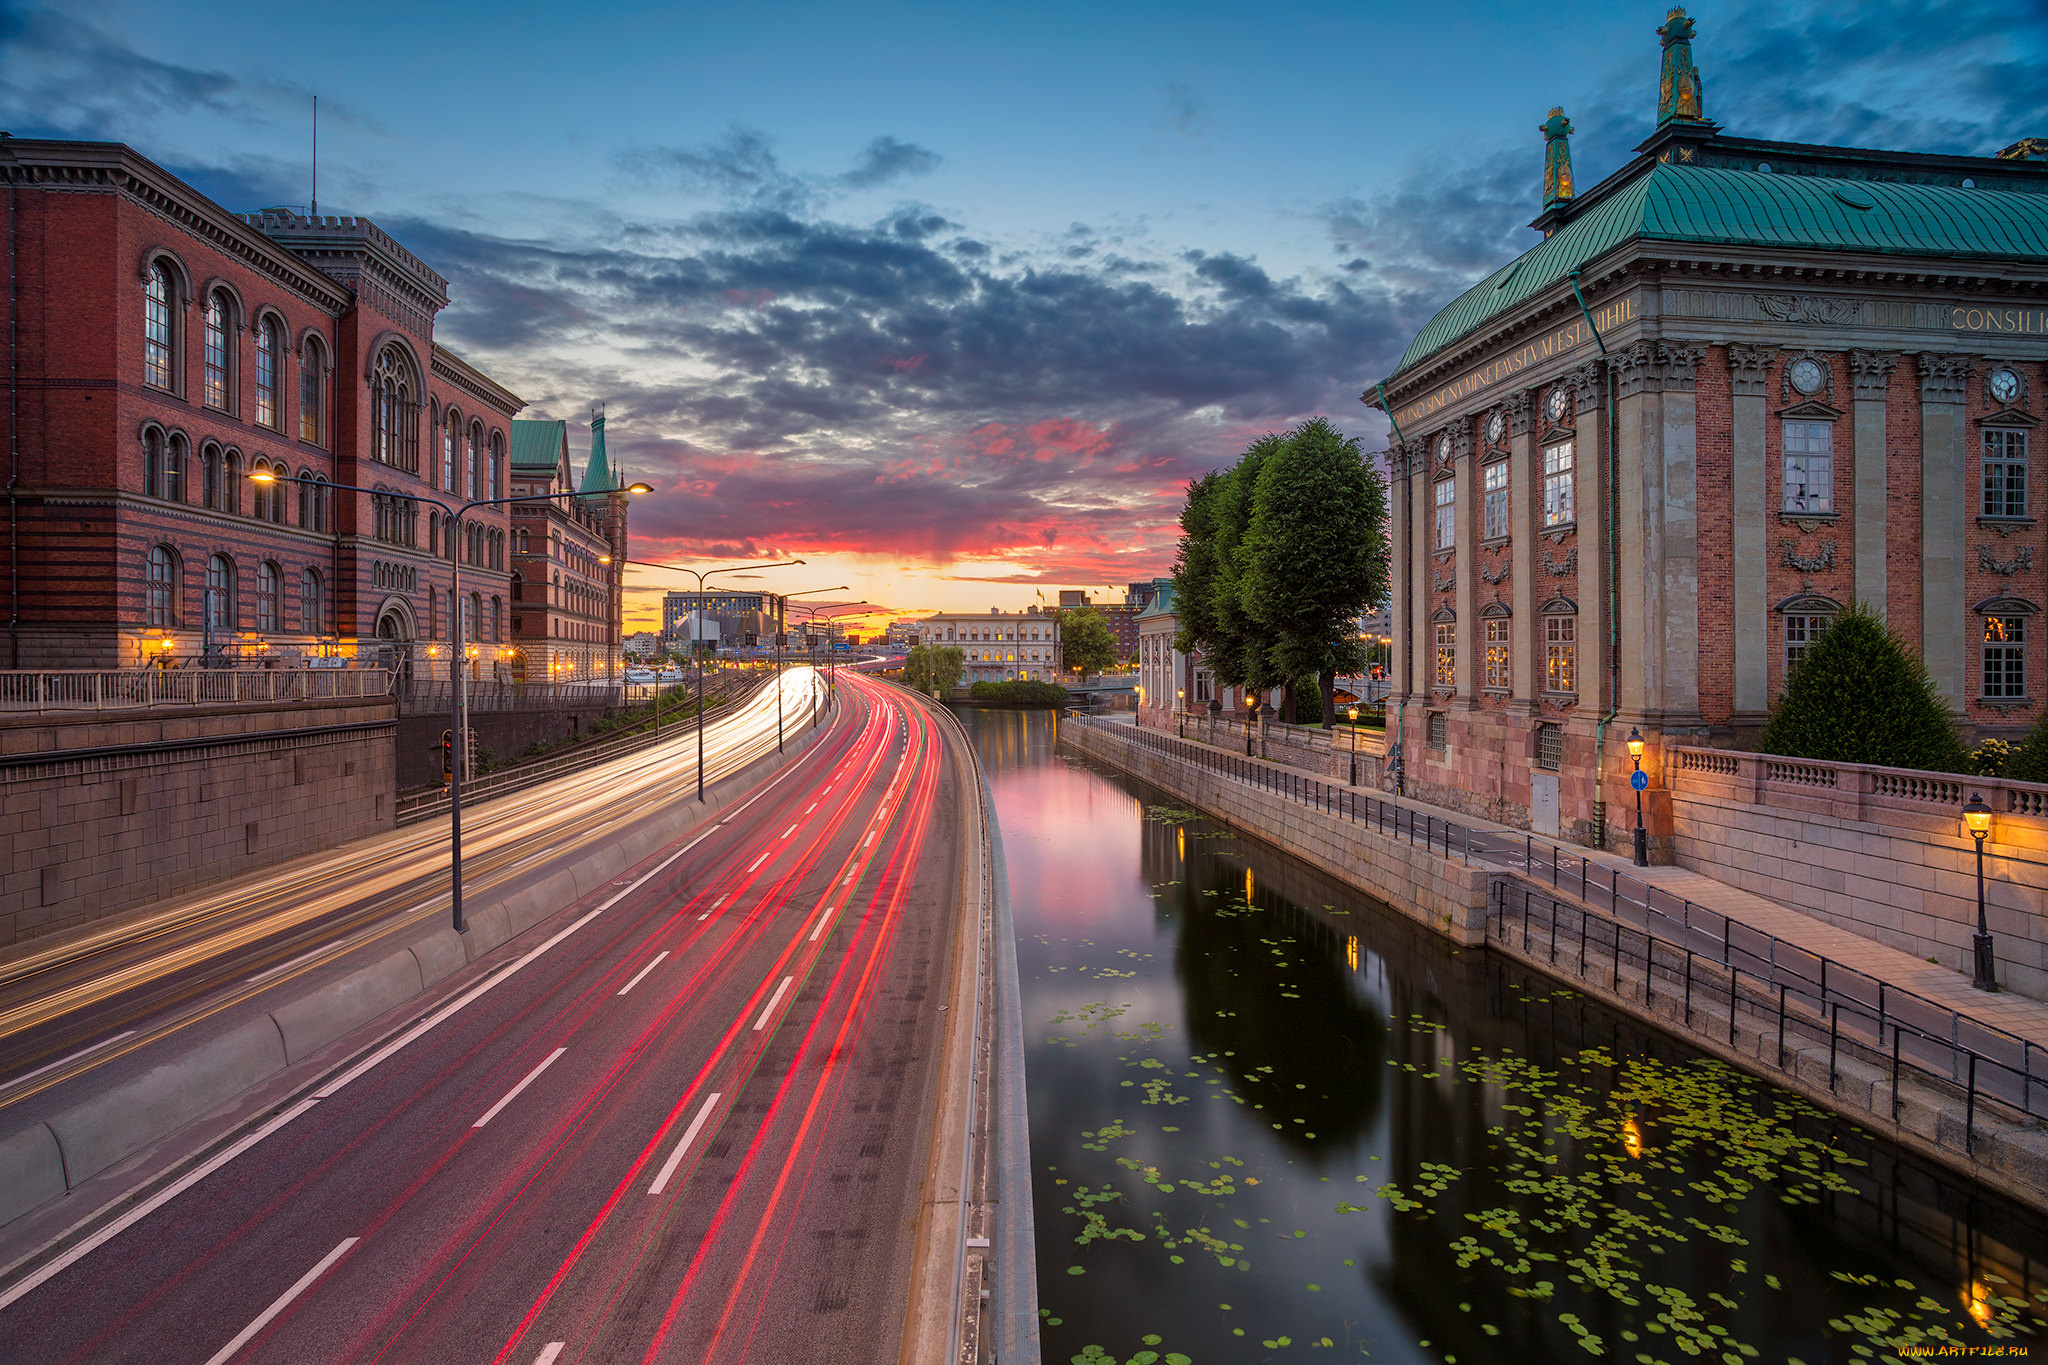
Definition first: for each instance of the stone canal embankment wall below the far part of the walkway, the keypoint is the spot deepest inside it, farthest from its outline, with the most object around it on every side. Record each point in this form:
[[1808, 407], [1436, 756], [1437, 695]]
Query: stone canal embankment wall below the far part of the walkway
[[1445, 893]]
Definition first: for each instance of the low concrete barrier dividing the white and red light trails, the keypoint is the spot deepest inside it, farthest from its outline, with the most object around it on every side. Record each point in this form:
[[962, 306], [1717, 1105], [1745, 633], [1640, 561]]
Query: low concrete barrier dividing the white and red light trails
[[54, 1157]]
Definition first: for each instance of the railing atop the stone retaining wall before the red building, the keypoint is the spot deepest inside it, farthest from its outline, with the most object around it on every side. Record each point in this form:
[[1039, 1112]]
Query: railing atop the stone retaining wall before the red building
[[30, 691]]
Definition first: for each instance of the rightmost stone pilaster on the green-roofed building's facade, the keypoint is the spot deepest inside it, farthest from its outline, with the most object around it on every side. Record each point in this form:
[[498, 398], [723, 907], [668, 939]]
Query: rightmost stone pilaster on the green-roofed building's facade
[[1945, 507]]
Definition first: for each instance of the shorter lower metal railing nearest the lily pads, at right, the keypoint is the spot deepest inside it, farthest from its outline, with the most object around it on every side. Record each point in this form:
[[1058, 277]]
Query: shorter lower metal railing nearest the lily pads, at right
[[1883, 1026]]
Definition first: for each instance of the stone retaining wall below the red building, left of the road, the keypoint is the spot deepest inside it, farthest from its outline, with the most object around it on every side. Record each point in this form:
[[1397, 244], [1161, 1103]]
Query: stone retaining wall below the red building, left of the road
[[122, 809]]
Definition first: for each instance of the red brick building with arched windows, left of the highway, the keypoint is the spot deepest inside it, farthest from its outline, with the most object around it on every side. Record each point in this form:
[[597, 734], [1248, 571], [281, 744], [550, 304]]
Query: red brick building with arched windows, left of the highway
[[165, 351]]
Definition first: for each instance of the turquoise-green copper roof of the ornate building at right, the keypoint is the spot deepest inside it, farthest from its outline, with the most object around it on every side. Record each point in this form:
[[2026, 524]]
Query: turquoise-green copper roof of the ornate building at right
[[1746, 208]]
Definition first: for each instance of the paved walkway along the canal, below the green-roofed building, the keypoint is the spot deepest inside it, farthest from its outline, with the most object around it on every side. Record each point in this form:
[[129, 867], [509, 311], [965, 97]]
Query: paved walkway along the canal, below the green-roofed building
[[2016, 1014]]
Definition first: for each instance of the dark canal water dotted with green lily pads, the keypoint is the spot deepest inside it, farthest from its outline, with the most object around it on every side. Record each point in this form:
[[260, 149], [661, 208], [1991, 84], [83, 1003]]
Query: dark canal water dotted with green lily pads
[[1273, 1120]]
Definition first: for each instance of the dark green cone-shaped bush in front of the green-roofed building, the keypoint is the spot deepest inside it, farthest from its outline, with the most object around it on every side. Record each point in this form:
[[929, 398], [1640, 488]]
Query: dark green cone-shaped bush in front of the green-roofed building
[[1861, 697]]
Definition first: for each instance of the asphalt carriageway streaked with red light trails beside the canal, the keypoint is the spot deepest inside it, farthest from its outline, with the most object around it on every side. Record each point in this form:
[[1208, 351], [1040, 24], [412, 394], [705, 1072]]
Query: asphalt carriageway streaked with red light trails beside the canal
[[685, 1122]]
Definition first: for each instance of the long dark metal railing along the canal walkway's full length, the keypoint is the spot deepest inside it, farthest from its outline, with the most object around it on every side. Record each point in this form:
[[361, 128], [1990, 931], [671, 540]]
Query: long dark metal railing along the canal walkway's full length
[[1922, 1030]]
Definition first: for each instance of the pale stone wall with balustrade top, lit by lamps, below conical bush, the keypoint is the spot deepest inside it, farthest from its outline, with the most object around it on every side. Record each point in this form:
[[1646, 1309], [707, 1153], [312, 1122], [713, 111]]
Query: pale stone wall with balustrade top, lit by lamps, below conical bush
[[1873, 850]]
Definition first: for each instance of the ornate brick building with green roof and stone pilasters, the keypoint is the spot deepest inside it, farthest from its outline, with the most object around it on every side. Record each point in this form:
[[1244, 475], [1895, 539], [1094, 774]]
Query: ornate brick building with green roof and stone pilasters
[[1736, 388]]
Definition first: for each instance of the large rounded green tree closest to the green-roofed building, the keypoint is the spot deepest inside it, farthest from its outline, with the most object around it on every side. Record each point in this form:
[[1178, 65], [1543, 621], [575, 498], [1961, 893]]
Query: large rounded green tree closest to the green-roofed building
[[1316, 556]]
